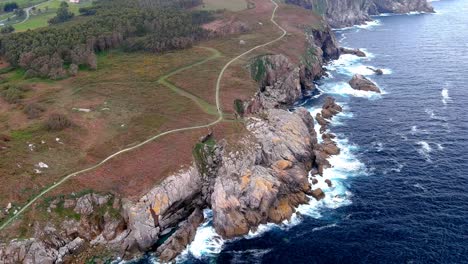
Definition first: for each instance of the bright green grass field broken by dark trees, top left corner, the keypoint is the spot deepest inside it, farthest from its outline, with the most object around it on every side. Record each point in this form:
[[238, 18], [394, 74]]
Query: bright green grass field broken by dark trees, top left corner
[[48, 10]]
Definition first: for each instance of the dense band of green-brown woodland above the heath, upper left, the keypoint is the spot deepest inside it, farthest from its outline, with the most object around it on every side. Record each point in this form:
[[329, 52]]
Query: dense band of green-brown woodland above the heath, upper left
[[144, 25]]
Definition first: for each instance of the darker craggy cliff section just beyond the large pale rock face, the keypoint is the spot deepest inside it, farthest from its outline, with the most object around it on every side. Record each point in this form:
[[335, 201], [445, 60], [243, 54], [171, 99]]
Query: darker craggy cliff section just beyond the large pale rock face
[[281, 83]]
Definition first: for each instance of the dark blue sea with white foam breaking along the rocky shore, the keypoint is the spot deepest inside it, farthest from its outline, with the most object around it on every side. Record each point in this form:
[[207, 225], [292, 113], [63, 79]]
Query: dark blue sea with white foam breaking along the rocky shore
[[403, 177]]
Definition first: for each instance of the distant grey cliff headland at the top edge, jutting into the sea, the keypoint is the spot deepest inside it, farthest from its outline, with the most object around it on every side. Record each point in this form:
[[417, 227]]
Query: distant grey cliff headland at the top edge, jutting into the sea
[[344, 13]]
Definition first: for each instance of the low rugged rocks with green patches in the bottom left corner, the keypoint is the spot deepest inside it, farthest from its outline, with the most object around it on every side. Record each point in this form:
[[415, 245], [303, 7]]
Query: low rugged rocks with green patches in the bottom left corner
[[94, 219]]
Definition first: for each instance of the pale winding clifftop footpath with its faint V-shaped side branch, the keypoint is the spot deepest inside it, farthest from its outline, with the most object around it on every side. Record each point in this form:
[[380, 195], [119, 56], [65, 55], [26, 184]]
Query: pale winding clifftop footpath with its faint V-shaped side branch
[[163, 78]]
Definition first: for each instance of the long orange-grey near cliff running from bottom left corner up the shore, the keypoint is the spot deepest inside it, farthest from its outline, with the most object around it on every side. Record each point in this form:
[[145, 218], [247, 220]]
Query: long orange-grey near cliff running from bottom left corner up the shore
[[259, 179]]
